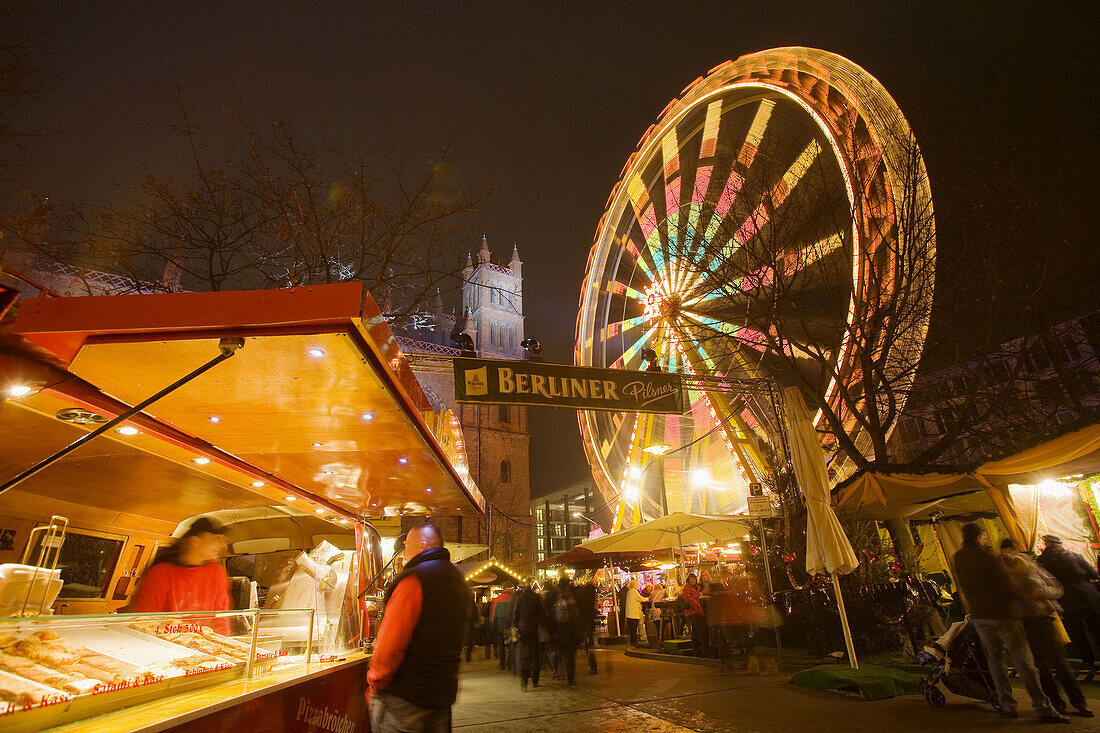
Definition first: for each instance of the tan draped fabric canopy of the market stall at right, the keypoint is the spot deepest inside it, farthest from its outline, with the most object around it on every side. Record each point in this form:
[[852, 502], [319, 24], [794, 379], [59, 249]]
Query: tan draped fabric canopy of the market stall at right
[[886, 493]]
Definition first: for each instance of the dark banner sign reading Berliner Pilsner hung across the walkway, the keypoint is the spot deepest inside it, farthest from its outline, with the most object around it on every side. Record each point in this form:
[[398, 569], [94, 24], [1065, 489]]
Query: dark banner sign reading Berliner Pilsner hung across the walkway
[[499, 382]]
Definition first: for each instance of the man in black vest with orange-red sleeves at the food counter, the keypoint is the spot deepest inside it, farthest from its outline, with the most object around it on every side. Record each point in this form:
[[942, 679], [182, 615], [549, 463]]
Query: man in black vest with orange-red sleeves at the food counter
[[414, 674]]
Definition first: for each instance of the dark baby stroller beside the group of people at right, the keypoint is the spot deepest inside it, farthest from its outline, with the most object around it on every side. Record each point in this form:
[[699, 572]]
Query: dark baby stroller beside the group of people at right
[[959, 662]]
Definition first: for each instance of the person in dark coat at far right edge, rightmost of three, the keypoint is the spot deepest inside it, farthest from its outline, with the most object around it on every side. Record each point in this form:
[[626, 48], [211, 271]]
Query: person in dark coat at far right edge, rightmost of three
[[1080, 604]]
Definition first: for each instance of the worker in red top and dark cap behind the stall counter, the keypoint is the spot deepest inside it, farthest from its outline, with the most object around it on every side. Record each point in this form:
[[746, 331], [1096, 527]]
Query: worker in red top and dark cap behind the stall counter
[[188, 577]]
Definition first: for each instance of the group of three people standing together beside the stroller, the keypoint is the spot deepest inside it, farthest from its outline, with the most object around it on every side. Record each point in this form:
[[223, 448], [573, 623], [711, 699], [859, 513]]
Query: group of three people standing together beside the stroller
[[1017, 607]]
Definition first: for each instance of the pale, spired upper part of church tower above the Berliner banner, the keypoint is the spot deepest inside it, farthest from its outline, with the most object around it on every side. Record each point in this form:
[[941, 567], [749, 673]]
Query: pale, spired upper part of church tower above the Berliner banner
[[493, 302]]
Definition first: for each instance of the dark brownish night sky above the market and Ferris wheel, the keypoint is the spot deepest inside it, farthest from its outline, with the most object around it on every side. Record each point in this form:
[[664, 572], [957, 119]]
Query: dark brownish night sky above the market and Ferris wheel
[[552, 99]]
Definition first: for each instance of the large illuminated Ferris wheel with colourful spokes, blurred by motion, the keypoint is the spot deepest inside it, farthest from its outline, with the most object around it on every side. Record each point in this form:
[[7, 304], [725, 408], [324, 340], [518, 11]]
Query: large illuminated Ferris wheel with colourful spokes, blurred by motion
[[745, 240]]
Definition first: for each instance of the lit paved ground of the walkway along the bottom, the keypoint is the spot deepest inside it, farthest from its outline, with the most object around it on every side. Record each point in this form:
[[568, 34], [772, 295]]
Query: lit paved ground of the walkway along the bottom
[[641, 695]]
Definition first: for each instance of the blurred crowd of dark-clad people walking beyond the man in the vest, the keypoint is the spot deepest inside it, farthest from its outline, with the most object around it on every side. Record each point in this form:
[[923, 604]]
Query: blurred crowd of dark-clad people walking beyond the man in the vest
[[531, 630]]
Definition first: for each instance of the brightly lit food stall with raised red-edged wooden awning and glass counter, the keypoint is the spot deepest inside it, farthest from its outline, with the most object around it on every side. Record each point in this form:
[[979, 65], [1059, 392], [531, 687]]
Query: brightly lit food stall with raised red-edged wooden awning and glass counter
[[311, 428]]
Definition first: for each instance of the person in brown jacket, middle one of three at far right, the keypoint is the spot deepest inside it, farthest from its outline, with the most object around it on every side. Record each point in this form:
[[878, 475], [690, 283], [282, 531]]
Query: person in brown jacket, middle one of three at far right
[[1038, 592]]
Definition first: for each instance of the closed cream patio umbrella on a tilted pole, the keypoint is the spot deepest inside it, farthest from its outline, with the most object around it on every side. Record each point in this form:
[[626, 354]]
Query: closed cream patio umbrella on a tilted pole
[[828, 548]]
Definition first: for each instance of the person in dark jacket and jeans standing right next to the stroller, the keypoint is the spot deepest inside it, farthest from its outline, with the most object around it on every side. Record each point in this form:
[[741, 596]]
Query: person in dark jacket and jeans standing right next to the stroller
[[988, 592]]
